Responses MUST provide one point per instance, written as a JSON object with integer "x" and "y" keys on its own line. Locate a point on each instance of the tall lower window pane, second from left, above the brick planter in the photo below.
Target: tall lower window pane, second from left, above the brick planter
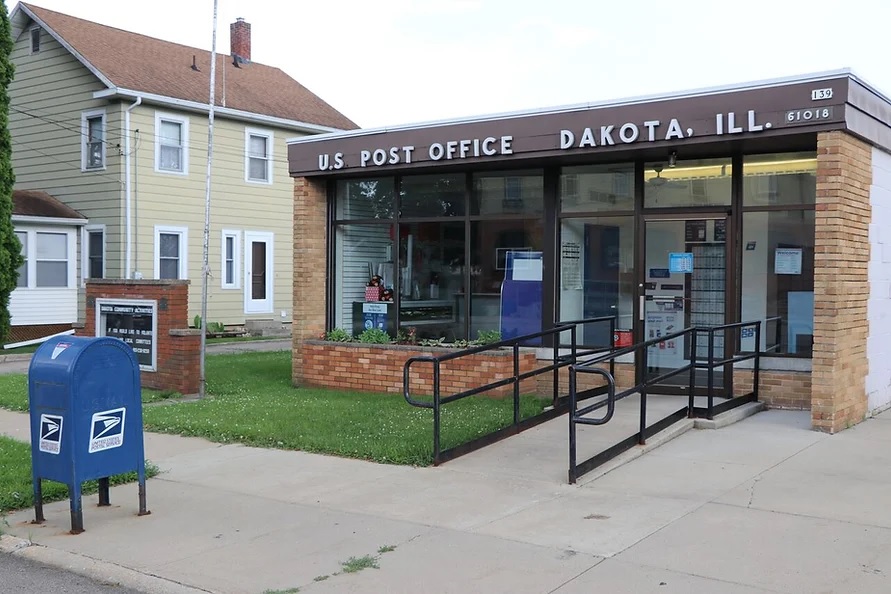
{"x": 431, "y": 279}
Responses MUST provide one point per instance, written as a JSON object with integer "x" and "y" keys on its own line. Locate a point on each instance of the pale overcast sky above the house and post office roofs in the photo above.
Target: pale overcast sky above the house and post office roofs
{"x": 388, "y": 62}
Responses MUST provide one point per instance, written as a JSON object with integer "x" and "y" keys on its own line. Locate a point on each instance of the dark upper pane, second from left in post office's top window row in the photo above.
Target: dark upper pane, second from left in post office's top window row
{"x": 433, "y": 196}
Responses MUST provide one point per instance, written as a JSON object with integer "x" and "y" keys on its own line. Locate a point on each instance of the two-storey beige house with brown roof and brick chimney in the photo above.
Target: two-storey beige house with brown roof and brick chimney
{"x": 115, "y": 125}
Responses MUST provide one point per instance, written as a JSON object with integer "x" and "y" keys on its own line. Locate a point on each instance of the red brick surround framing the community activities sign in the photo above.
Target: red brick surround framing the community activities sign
{"x": 177, "y": 346}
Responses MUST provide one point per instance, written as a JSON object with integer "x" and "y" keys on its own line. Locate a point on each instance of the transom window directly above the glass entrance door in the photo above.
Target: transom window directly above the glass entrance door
{"x": 701, "y": 182}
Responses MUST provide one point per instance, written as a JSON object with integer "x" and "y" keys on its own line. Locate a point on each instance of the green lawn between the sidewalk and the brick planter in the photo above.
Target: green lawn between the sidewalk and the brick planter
{"x": 251, "y": 401}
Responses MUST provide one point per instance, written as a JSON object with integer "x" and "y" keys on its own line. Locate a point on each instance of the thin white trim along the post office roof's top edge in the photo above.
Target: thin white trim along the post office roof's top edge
{"x": 716, "y": 90}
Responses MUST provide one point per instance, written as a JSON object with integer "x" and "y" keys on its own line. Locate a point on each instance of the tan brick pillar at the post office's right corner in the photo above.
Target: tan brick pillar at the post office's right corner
{"x": 841, "y": 284}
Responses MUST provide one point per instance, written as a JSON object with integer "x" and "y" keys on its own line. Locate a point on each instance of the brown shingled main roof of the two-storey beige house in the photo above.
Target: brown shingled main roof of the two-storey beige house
{"x": 147, "y": 65}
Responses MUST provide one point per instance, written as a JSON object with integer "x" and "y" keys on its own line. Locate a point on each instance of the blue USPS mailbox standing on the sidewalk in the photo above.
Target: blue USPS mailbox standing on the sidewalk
{"x": 86, "y": 418}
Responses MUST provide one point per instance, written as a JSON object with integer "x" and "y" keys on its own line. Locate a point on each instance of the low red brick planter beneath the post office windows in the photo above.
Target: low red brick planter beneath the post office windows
{"x": 378, "y": 368}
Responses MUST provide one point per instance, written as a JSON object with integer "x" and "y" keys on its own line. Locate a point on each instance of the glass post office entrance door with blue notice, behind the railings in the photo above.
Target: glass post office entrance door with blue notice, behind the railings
{"x": 685, "y": 283}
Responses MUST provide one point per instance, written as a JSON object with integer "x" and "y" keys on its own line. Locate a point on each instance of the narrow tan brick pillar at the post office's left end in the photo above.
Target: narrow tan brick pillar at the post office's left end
{"x": 310, "y": 267}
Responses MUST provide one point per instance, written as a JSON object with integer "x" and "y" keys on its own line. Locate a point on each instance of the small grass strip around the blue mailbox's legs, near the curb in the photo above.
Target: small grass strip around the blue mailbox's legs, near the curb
{"x": 16, "y": 490}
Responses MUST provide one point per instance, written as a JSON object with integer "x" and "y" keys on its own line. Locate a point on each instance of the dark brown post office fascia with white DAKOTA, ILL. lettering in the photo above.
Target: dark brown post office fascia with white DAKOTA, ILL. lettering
{"x": 753, "y": 111}
